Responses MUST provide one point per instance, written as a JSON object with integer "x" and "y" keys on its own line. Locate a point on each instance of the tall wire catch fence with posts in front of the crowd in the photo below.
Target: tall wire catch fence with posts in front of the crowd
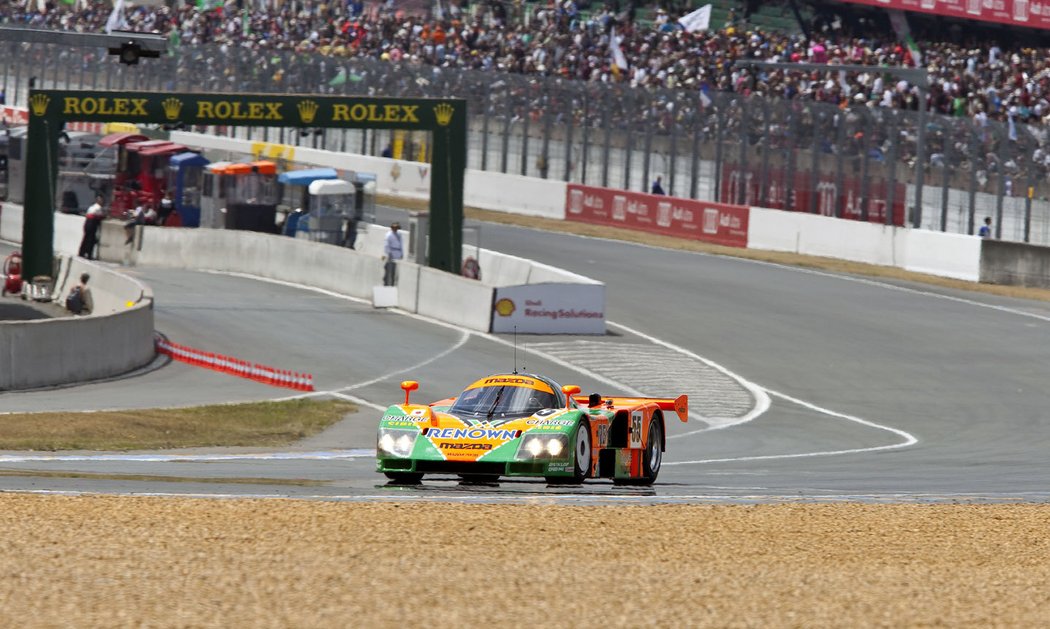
{"x": 855, "y": 162}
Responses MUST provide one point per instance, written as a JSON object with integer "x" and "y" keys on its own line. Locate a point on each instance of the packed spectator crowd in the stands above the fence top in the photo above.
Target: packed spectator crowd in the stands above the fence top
{"x": 976, "y": 79}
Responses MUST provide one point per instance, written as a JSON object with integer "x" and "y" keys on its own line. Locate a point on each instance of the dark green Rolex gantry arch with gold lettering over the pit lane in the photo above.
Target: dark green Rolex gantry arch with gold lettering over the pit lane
{"x": 50, "y": 110}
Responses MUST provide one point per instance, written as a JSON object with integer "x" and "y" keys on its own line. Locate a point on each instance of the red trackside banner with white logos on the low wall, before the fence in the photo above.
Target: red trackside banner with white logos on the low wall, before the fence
{"x": 718, "y": 223}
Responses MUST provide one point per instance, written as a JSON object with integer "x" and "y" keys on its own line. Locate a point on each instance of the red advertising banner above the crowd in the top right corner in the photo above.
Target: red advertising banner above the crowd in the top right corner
{"x": 1017, "y": 13}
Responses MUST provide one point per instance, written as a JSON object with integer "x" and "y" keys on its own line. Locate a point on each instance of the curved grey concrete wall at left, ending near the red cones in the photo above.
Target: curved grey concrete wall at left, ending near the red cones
{"x": 118, "y": 338}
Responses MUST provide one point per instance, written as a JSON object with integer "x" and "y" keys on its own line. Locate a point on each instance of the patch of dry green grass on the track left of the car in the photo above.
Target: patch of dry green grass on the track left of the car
{"x": 251, "y": 425}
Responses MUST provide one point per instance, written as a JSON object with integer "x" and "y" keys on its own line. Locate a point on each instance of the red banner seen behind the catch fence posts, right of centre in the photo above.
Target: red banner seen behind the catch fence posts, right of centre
{"x": 743, "y": 186}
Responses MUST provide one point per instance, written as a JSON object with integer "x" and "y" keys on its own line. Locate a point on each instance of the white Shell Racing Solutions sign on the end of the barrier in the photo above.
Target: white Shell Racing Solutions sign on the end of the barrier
{"x": 550, "y": 309}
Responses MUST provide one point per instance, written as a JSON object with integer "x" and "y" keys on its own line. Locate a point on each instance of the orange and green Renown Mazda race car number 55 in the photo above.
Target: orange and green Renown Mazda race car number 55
{"x": 527, "y": 426}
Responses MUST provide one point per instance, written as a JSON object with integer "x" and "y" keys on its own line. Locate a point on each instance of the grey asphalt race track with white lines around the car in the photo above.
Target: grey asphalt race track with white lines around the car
{"x": 805, "y": 386}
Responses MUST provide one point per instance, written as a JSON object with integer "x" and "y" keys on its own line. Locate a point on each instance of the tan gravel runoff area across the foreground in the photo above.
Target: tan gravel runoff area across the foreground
{"x": 163, "y": 562}
